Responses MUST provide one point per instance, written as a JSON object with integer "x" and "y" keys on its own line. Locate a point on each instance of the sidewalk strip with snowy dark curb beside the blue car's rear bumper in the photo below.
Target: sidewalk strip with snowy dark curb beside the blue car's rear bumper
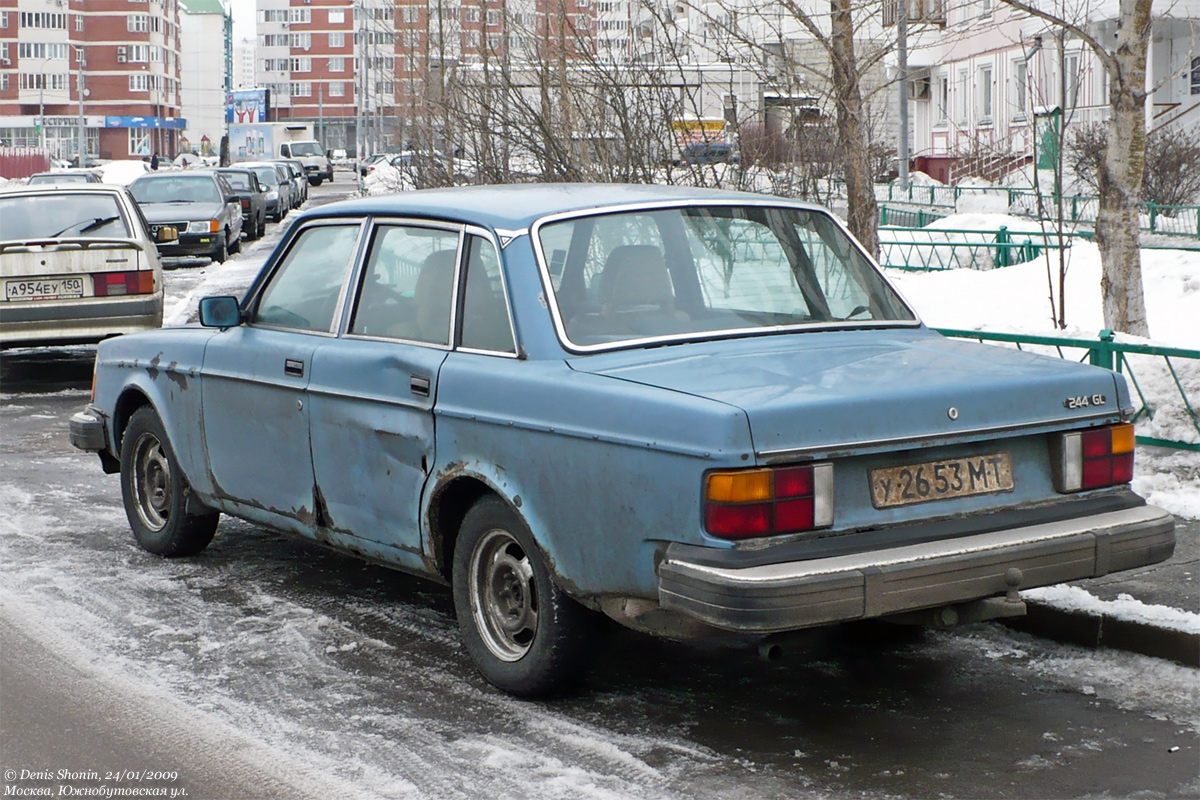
{"x": 1154, "y": 611}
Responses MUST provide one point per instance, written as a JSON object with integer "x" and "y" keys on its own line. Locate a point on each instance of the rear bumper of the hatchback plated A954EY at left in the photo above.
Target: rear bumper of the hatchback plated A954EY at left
{"x": 80, "y": 322}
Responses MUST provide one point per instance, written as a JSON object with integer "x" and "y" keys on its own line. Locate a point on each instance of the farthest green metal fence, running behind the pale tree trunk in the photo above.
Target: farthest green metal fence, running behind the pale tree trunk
{"x": 1078, "y": 209}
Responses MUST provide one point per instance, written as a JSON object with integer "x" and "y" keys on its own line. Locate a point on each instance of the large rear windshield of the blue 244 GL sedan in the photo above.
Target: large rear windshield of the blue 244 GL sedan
{"x": 698, "y": 272}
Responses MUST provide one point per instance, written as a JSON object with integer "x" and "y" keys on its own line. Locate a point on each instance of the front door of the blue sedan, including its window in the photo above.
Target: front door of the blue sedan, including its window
{"x": 256, "y": 411}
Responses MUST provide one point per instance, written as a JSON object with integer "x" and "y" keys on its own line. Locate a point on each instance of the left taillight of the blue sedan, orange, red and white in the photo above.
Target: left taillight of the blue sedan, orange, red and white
{"x": 748, "y": 503}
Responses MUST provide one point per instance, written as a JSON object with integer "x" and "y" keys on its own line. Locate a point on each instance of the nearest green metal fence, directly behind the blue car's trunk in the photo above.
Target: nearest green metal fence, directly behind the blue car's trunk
{"x": 1148, "y": 369}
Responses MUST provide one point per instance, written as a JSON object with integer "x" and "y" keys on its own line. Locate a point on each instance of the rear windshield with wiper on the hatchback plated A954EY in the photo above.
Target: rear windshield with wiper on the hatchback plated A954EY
{"x": 51, "y": 216}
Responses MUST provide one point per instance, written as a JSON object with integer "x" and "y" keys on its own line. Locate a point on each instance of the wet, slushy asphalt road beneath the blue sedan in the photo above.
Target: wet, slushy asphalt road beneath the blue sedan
{"x": 267, "y": 667}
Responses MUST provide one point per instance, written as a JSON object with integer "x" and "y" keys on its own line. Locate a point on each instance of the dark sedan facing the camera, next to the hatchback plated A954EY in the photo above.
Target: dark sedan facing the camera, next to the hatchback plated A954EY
{"x": 200, "y": 204}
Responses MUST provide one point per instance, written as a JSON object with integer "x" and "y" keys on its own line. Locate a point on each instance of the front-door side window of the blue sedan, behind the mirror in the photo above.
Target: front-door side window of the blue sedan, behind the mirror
{"x": 303, "y": 293}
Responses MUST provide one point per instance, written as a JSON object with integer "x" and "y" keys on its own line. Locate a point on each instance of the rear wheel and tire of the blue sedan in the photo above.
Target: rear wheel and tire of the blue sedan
{"x": 525, "y": 634}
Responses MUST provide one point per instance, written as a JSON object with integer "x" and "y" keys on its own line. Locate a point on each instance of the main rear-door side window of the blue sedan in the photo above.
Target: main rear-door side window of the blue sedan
{"x": 407, "y": 290}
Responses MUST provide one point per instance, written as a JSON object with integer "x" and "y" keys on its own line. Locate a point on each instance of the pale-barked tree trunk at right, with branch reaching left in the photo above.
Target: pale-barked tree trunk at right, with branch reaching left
{"x": 1120, "y": 176}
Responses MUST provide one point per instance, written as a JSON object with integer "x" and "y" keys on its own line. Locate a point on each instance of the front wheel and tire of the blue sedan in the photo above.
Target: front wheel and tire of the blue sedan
{"x": 155, "y": 492}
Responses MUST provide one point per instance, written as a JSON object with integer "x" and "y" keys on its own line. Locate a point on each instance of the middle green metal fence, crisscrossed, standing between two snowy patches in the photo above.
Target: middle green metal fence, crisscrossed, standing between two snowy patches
{"x": 926, "y": 250}
